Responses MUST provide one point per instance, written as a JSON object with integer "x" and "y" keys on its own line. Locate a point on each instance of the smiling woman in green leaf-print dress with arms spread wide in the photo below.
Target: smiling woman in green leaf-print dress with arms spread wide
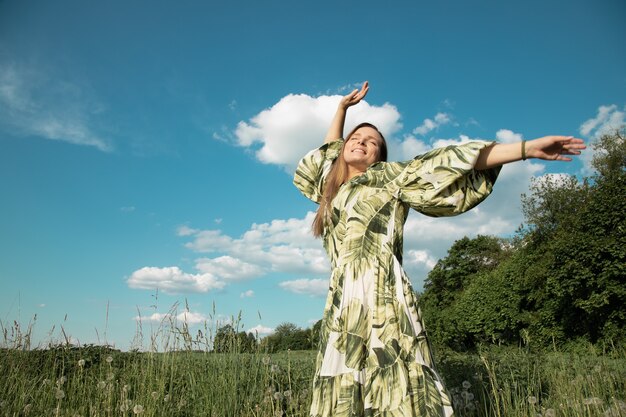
{"x": 374, "y": 358}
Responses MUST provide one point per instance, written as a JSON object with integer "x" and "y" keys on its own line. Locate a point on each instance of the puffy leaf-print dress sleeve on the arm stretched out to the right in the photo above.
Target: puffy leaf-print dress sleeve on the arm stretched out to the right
{"x": 443, "y": 182}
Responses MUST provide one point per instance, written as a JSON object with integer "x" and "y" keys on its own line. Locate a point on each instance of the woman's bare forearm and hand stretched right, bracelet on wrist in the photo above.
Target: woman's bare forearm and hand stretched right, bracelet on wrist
{"x": 551, "y": 148}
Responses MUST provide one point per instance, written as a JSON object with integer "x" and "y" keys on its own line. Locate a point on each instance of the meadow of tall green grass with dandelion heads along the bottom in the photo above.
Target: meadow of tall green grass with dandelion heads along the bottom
{"x": 188, "y": 380}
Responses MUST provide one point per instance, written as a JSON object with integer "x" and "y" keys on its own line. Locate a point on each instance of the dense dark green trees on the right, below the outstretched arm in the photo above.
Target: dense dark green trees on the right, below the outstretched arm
{"x": 560, "y": 280}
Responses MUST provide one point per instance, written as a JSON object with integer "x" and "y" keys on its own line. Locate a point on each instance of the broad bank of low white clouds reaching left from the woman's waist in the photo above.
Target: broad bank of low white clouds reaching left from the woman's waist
{"x": 280, "y": 246}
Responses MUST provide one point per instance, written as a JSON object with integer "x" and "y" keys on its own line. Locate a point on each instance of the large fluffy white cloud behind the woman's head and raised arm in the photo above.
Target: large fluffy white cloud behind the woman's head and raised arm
{"x": 298, "y": 122}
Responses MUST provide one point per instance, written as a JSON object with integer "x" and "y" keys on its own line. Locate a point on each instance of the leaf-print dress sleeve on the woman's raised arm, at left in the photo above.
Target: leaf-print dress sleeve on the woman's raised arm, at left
{"x": 312, "y": 170}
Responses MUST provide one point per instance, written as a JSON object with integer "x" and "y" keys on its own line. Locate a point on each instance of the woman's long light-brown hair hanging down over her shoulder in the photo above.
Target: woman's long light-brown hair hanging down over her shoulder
{"x": 337, "y": 175}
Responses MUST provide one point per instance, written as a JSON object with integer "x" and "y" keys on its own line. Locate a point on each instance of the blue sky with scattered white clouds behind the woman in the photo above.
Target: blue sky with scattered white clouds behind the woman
{"x": 150, "y": 144}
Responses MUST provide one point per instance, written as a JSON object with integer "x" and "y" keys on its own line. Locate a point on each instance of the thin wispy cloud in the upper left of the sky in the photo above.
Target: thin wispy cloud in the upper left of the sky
{"x": 34, "y": 104}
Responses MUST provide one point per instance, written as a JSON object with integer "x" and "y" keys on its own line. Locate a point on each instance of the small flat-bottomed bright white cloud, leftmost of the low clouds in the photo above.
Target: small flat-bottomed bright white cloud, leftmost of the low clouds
{"x": 173, "y": 280}
